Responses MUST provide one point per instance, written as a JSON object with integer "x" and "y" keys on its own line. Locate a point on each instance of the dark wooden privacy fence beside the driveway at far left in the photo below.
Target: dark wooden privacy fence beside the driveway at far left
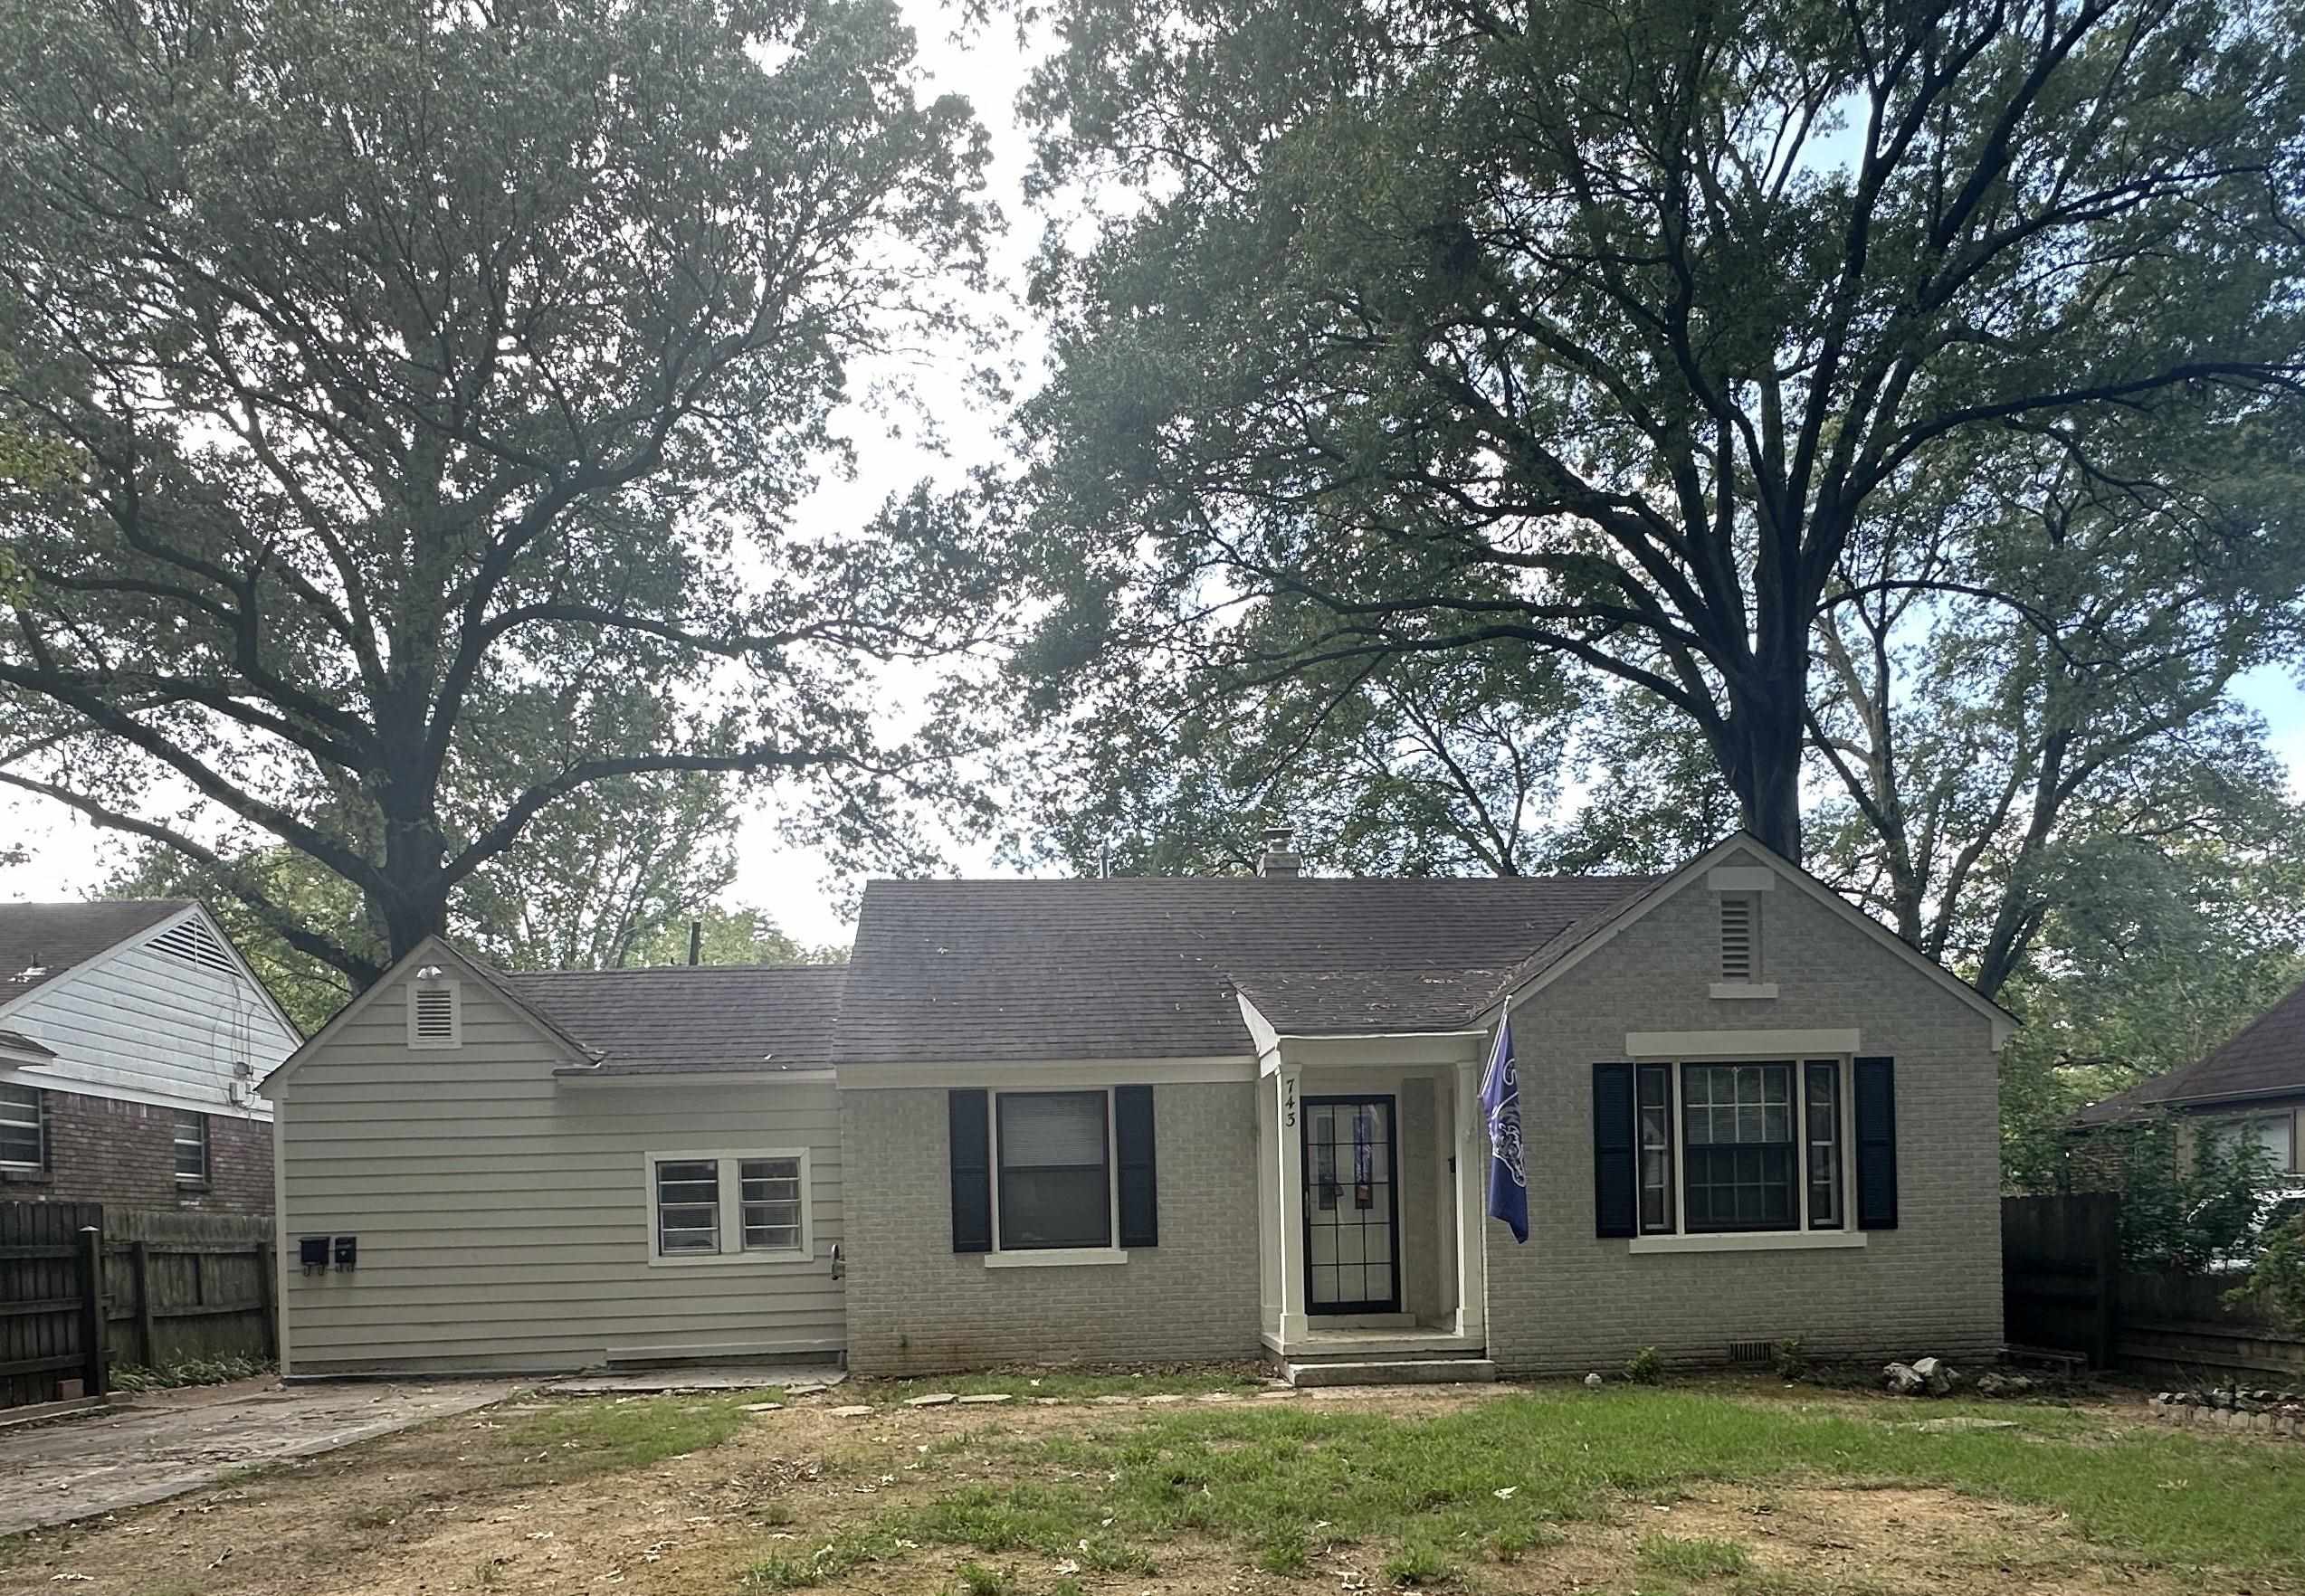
{"x": 89, "y": 1289}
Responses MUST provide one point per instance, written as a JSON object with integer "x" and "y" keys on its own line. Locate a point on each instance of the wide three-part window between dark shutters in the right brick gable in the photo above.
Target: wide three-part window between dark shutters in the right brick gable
{"x": 1744, "y": 1146}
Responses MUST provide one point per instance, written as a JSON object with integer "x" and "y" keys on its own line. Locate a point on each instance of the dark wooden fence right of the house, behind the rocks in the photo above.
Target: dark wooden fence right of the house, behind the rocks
{"x": 2064, "y": 1291}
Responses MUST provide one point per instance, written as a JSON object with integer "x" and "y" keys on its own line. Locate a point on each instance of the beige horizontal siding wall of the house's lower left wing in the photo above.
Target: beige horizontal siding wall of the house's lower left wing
{"x": 504, "y": 1215}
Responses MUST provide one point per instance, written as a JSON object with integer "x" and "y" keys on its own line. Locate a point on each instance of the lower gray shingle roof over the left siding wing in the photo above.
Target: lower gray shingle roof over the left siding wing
{"x": 693, "y": 1017}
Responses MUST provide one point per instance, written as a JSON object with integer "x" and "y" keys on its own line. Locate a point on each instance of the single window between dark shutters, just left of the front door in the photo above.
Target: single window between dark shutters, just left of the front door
{"x": 1055, "y": 1171}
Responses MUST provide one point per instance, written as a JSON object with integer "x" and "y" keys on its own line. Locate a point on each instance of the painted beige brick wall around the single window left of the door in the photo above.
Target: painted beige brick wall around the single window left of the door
{"x": 919, "y": 1307}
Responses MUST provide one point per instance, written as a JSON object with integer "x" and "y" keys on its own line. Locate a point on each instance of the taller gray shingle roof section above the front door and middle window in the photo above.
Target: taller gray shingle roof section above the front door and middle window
{"x": 1149, "y": 966}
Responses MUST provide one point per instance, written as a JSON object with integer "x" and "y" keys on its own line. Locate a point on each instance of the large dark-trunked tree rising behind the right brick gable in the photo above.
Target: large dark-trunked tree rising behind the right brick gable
{"x": 1603, "y": 330}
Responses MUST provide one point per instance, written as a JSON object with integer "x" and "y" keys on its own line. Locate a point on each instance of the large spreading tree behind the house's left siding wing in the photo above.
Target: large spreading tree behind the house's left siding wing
{"x": 437, "y": 386}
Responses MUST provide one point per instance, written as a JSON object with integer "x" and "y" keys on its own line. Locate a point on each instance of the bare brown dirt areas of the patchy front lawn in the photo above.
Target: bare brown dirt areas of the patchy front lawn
{"x": 469, "y": 1507}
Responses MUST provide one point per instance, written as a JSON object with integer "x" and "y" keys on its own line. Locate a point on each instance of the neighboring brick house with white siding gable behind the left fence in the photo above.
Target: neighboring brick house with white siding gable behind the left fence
{"x": 133, "y": 1038}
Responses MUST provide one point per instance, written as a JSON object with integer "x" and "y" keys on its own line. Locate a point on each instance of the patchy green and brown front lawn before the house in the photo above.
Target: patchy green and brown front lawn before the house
{"x": 1679, "y": 1491}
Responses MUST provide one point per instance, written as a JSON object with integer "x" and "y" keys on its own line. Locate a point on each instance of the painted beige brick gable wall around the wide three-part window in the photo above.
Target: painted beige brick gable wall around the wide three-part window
{"x": 1571, "y": 1302}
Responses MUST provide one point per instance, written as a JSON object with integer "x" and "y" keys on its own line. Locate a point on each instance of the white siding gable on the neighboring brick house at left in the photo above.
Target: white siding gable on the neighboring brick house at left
{"x": 151, "y": 1028}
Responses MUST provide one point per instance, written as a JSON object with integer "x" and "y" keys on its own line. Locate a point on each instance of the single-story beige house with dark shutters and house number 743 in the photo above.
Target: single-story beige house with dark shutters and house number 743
{"x": 1158, "y": 1120}
